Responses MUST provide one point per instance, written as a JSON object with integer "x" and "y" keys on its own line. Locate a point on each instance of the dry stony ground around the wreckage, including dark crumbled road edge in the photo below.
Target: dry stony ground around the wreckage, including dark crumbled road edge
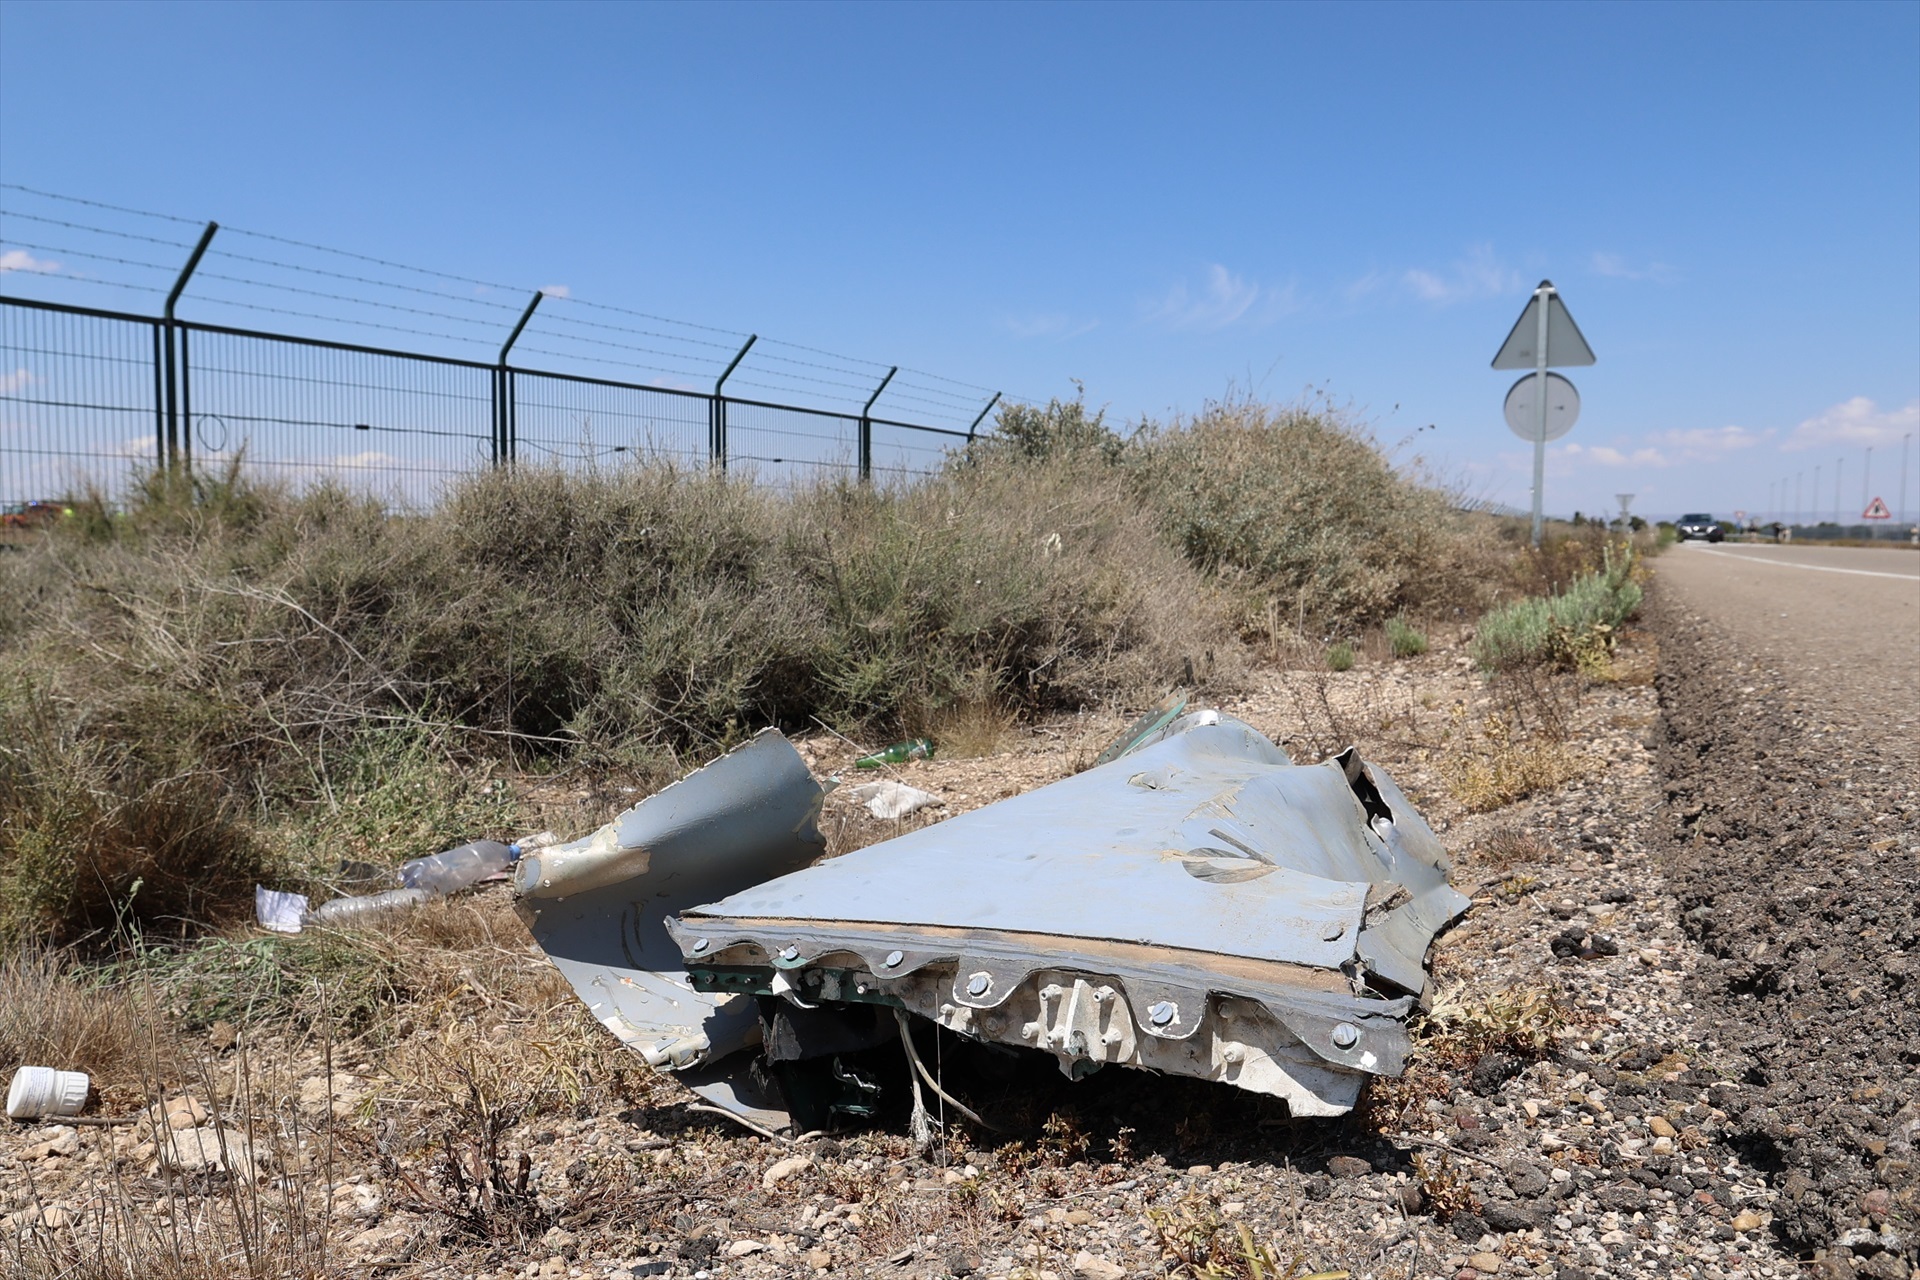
{"x": 1675, "y": 1035}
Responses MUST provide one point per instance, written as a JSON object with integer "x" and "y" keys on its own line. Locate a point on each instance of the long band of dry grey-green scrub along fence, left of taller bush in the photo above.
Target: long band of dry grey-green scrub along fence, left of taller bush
{"x": 228, "y": 675}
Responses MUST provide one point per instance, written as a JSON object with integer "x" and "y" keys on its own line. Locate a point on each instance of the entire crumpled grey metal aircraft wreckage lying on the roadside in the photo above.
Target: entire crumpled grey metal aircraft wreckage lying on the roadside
{"x": 1197, "y": 907}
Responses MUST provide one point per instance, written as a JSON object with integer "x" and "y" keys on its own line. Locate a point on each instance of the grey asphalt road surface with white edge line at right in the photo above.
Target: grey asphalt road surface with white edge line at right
{"x": 1840, "y": 625}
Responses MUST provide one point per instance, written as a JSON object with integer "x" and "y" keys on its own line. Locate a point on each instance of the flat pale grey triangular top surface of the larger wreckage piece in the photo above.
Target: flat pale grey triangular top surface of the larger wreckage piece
{"x": 1145, "y": 849}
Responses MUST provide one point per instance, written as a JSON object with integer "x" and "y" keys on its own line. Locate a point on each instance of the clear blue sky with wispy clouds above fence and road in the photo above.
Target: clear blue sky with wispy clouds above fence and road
{"x": 1166, "y": 204}
